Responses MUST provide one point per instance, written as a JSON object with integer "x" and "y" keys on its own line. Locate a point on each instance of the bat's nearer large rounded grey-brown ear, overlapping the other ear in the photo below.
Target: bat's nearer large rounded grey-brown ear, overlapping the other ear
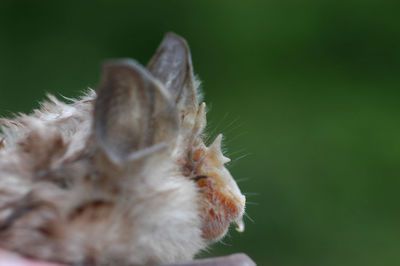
{"x": 133, "y": 115}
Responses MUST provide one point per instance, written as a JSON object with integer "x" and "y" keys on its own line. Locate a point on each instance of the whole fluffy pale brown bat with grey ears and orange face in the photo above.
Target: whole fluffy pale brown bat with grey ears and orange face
{"x": 120, "y": 177}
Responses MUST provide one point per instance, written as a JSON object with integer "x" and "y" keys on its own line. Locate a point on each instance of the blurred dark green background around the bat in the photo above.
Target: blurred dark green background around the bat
{"x": 307, "y": 96}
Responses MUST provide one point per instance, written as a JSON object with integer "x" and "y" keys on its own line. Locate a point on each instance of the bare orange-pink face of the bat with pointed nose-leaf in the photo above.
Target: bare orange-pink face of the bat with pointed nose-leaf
{"x": 221, "y": 200}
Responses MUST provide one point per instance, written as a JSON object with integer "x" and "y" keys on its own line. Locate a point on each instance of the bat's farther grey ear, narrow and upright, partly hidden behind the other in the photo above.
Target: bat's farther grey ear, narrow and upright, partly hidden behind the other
{"x": 172, "y": 66}
